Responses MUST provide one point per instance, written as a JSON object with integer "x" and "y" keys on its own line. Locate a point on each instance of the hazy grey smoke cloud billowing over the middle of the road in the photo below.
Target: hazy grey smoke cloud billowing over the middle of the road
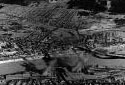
{"x": 75, "y": 60}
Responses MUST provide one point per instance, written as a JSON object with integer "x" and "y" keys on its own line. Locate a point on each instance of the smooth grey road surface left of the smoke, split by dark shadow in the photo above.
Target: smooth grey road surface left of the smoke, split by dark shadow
{"x": 13, "y": 67}
